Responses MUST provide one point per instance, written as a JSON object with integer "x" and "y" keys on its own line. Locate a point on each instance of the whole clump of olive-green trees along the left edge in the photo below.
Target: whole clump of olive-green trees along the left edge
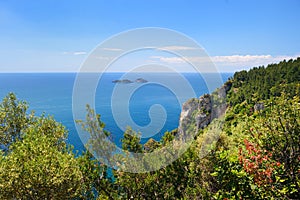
{"x": 36, "y": 162}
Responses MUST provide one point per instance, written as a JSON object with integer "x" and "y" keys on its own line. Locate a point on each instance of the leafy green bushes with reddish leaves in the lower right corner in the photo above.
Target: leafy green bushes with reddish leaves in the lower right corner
{"x": 260, "y": 158}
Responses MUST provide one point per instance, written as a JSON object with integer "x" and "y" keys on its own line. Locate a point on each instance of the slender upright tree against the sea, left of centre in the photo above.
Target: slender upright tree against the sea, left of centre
{"x": 98, "y": 177}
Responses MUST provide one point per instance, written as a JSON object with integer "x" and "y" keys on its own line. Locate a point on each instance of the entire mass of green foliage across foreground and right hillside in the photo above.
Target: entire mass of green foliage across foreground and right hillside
{"x": 256, "y": 157}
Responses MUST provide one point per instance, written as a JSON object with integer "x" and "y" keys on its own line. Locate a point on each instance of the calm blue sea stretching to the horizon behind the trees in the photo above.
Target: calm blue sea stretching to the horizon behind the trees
{"x": 51, "y": 93}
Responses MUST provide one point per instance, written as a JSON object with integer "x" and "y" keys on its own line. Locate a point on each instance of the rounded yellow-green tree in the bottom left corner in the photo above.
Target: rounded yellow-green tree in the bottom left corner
{"x": 39, "y": 166}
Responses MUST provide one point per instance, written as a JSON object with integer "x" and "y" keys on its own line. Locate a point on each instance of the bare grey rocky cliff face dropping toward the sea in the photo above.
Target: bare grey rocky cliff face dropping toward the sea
{"x": 197, "y": 113}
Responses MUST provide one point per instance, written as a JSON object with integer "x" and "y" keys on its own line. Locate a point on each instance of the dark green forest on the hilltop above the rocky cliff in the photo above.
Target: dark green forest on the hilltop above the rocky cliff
{"x": 261, "y": 83}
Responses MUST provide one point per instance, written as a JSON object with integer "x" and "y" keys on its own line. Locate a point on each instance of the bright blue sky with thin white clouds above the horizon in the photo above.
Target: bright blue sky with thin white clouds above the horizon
{"x": 59, "y": 35}
